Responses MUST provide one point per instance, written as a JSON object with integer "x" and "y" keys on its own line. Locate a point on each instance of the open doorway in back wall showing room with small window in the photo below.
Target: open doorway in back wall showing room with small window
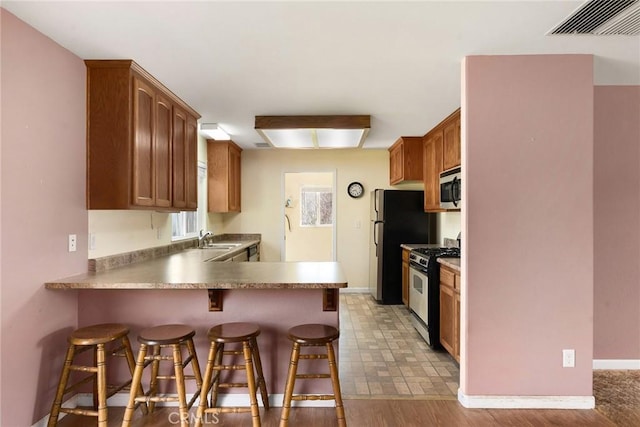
{"x": 309, "y": 219}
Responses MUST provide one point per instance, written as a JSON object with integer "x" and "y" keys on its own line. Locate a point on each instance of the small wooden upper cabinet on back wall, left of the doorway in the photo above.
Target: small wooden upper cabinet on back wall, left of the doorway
{"x": 224, "y": 176}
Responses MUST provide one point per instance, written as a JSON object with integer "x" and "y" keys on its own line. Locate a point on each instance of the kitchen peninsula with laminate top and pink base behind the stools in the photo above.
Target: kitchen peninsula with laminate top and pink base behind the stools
{"x": 186, "y": 287}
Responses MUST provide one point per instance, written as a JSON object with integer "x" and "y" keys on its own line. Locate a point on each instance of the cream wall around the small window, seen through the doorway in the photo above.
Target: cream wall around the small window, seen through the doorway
{"x": 305, "y": 243}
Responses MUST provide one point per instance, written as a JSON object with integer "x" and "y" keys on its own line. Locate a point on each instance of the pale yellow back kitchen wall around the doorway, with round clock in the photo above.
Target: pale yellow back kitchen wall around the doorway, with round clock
{"x": 263, "y": 211}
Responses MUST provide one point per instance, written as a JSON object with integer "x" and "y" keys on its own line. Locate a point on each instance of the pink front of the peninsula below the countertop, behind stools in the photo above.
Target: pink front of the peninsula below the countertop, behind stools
{"x": 274, "y": 310}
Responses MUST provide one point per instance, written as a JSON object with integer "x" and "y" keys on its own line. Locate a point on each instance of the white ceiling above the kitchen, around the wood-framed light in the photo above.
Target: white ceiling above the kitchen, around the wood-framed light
{"x": 398, "y": 61}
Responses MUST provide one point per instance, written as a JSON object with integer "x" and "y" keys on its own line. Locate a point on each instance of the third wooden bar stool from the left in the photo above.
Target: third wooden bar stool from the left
{"x": 233, "y": 333}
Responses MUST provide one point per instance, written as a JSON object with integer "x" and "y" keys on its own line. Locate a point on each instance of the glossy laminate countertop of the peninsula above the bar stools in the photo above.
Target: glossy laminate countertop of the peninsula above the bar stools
{"x": 193, "y": 269}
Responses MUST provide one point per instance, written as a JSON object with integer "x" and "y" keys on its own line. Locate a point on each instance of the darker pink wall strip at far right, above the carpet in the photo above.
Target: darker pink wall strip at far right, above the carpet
{"x": 617, "y": 222}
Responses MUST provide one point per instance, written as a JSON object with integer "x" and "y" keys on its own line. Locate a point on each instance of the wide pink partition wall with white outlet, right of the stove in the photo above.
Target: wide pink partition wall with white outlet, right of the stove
{"x": 527, "y": 263}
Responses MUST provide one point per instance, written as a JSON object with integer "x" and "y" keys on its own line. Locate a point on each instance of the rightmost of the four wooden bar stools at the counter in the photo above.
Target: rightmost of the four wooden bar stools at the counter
{"x": 312, "y": 335}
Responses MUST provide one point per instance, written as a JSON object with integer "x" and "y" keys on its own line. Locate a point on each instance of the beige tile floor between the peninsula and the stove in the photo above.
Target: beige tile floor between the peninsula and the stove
{"x": 383, "y": 357}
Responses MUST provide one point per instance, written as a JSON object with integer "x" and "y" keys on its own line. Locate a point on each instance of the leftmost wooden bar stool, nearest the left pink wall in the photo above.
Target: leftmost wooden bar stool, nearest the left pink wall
{"x": 94, "y": 337}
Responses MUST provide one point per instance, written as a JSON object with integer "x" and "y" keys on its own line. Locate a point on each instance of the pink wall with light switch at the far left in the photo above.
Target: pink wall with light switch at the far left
{"x": 43, "y": 200}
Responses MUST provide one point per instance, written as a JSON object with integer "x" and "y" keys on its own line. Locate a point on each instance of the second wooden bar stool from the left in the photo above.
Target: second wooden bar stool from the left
{"x": 155, "y": 339}
